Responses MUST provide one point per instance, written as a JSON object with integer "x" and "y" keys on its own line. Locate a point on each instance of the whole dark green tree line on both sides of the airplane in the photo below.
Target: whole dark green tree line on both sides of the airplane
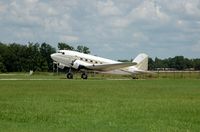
{"x": 35, "y": 56}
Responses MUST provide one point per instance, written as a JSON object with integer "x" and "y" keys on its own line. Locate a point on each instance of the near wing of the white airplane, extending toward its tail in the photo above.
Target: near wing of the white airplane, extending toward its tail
{"x": 108, "y": 67}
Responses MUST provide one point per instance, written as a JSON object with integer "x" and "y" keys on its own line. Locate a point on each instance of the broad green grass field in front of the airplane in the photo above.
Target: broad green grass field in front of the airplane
{"x": 100, "y": 105}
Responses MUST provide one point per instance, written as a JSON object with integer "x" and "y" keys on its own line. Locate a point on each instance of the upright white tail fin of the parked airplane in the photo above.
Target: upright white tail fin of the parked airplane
{"x": 142, "y": 62}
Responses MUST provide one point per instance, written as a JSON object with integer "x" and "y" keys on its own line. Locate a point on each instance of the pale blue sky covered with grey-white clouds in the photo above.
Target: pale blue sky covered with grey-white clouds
{"x": 115, "y": 29}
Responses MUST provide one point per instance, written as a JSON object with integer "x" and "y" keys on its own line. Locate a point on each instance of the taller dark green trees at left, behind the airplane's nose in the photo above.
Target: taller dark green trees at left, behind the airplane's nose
{"x": 32, "y": 56}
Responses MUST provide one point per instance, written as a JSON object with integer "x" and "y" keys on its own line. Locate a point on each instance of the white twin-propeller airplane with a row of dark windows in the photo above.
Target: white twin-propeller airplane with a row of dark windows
{"x": 86, "y": 62}
